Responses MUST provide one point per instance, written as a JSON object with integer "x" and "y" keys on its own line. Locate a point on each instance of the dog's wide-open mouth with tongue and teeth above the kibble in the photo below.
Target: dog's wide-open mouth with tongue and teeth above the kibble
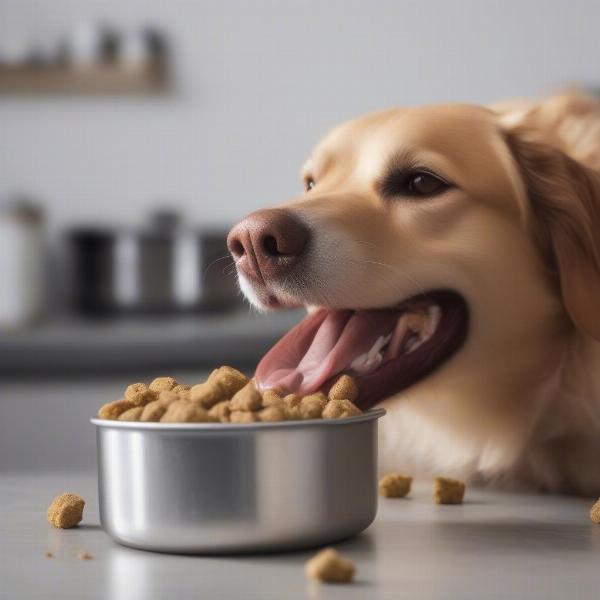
{"x": 385, "y": 350}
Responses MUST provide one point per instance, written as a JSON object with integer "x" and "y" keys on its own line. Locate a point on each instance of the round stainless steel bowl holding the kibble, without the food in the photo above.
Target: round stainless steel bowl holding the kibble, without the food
{"x": 205, "y": 488}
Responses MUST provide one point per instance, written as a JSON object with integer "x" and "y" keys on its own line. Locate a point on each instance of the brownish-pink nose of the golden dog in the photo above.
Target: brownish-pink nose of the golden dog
{"x": 267, "y": 242}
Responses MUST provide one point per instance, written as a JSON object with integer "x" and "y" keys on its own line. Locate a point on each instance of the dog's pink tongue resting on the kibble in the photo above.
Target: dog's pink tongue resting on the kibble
{"x": 320, "y": 346}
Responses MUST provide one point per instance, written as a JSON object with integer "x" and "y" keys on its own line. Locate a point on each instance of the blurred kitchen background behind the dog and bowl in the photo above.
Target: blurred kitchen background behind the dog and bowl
{"x": 134, "y": 134}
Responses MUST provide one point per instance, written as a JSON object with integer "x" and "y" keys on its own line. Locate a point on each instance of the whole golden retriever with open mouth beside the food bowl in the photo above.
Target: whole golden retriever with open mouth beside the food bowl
{"x": 449, "y": 257}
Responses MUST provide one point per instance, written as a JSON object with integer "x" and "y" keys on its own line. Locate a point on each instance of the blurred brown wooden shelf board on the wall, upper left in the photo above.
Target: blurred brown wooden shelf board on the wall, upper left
{"x": 109, "y": 79}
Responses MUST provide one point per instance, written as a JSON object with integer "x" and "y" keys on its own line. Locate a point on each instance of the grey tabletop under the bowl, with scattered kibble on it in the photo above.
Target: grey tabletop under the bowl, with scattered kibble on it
{"x": 497, "y": 545}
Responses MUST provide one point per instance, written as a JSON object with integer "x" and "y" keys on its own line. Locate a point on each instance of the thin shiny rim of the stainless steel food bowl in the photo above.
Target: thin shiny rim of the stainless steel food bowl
{"x": 369, "y": 415}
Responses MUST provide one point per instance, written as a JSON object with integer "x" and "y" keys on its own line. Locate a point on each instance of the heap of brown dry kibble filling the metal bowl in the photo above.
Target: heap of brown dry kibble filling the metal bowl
{"x": 228, "y": 396}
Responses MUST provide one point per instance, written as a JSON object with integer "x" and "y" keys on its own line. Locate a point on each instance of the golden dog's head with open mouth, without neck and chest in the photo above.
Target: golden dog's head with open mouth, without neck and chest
{"x": 420, "y": 232}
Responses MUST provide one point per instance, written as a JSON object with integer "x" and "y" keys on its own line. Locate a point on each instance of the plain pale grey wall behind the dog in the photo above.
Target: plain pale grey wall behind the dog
{"x": 258, "y": 81}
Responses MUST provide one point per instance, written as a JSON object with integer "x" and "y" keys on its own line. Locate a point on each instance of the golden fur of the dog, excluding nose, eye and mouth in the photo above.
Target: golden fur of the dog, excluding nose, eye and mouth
{"x": 518, "y": 237}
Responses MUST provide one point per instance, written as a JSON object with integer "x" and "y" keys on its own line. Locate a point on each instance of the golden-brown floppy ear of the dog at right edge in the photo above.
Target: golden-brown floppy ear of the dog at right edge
{"x": 563, "y": 203}
